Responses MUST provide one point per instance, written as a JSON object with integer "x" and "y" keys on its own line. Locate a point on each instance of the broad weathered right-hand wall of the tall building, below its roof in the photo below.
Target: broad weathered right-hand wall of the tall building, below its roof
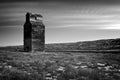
{"x": 38, "y": 36}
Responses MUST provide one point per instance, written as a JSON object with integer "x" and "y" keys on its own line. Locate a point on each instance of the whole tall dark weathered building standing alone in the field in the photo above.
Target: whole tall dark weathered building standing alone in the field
{"x": 34, "y": 33}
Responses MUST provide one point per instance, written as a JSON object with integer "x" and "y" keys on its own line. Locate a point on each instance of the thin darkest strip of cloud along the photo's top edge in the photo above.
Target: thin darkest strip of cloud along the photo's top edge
{"x": 68, "y": 1}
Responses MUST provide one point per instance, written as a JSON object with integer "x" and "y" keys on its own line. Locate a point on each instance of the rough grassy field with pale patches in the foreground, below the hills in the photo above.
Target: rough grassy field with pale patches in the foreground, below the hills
{"x": 59, "y": 66}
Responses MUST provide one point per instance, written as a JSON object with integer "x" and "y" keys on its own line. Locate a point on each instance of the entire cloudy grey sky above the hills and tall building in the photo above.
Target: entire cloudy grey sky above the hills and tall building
{"x": 65, "y": 20}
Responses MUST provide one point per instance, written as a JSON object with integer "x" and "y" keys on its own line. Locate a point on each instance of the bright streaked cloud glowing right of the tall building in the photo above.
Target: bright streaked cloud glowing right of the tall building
{"x": 106, "y": 18}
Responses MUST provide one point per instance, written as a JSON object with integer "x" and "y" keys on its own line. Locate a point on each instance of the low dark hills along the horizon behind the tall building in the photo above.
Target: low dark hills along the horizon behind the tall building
{"x": 105, "y": 44}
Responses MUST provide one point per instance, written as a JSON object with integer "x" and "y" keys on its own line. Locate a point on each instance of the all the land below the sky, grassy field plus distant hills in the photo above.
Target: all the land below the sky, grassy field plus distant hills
{"x": 65, "y": 61}
